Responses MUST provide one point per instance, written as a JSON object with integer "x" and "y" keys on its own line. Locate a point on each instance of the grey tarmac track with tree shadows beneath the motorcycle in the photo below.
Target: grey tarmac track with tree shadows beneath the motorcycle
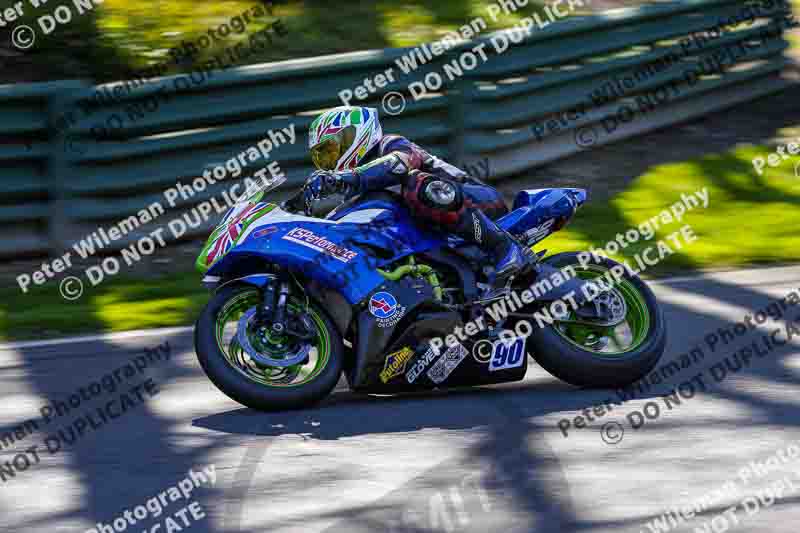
{"x": 718, "y": 456}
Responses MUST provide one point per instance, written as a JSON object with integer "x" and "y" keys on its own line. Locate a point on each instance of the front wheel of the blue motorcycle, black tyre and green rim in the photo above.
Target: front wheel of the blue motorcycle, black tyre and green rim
{"x": 261, "y": 387}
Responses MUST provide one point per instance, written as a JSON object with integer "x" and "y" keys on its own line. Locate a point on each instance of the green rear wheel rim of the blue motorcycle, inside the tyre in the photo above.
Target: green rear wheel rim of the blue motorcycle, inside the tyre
{"x": 627, "y": 336}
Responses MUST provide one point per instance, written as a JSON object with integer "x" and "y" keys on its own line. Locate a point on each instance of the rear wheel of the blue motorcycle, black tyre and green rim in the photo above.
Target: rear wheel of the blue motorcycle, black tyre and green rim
{"x": 588, "y": 355}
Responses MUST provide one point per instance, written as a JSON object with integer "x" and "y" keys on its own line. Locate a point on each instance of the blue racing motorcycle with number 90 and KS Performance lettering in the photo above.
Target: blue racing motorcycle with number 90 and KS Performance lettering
{"x": 299, "y": 300}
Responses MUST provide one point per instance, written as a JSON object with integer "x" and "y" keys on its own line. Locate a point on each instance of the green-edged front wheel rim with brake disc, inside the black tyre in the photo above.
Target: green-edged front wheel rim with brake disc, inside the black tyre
{"x": 292, "y": 376}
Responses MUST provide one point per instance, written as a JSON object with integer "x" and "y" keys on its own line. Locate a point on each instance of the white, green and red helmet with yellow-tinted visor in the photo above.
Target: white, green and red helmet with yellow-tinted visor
{"x": 340, "y": 138}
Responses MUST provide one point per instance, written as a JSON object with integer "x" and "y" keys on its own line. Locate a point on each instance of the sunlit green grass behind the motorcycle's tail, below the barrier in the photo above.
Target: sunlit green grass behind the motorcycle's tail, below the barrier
{"x": 751, "y": 219}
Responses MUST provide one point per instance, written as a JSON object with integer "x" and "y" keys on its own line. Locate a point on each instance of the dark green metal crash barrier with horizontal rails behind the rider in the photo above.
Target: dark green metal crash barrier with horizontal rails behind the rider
{"x": 76, "y": 157}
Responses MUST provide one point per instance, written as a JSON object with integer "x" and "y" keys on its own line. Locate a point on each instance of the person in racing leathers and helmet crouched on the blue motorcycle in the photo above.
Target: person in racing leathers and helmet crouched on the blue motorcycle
{"x": 354, "y": 156}
